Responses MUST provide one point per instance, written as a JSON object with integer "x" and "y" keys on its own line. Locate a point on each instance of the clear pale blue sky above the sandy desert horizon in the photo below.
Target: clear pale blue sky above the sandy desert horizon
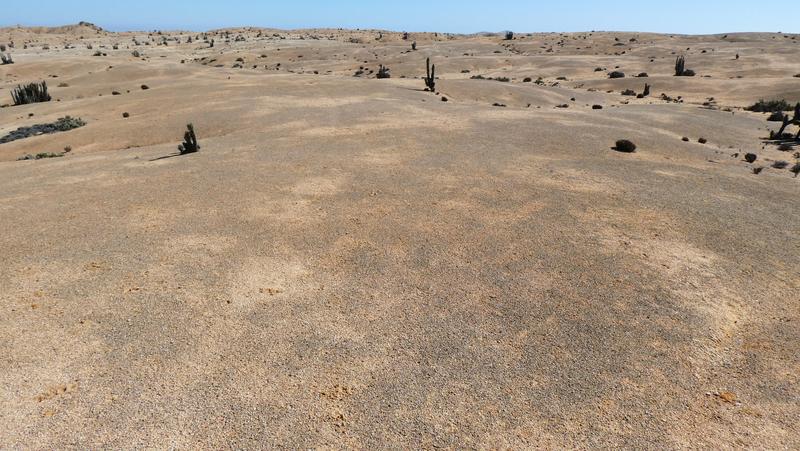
{"x": 450, "y": 16}
